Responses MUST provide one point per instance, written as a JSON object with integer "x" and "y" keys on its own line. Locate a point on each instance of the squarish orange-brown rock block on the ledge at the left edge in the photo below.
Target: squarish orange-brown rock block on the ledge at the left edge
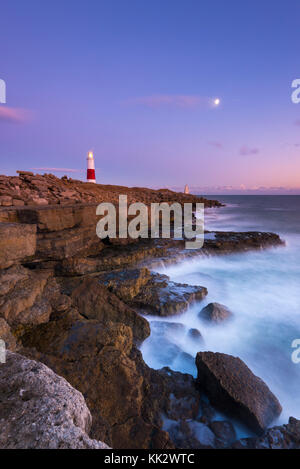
{"x": 17, "y": 243}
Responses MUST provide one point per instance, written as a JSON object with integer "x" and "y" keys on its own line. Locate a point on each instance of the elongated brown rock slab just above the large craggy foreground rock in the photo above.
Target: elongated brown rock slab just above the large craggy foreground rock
{"x": 94, "y": 301}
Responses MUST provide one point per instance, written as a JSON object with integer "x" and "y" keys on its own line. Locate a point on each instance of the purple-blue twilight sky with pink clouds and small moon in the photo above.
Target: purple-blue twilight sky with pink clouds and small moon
{"x": 134, "y": 80}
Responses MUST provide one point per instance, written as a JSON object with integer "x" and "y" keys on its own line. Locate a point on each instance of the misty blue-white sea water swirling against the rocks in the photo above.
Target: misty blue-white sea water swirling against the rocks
{"x": 261, "y": 288}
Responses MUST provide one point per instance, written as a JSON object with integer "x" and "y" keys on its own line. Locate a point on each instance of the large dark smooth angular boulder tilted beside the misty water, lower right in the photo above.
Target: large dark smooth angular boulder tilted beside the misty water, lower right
{"x": 232, "y": 387}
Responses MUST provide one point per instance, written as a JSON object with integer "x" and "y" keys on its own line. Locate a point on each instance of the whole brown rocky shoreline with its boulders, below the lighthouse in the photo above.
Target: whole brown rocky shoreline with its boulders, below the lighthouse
{"x": 73, "y": 313}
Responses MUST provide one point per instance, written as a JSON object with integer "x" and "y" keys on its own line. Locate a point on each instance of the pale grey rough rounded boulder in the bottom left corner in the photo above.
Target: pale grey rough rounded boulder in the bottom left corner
{"x": 41, "y": 410}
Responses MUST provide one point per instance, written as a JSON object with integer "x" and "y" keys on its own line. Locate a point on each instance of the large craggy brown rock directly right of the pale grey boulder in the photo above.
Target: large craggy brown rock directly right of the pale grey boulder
{"x": 95, "y": 358}
